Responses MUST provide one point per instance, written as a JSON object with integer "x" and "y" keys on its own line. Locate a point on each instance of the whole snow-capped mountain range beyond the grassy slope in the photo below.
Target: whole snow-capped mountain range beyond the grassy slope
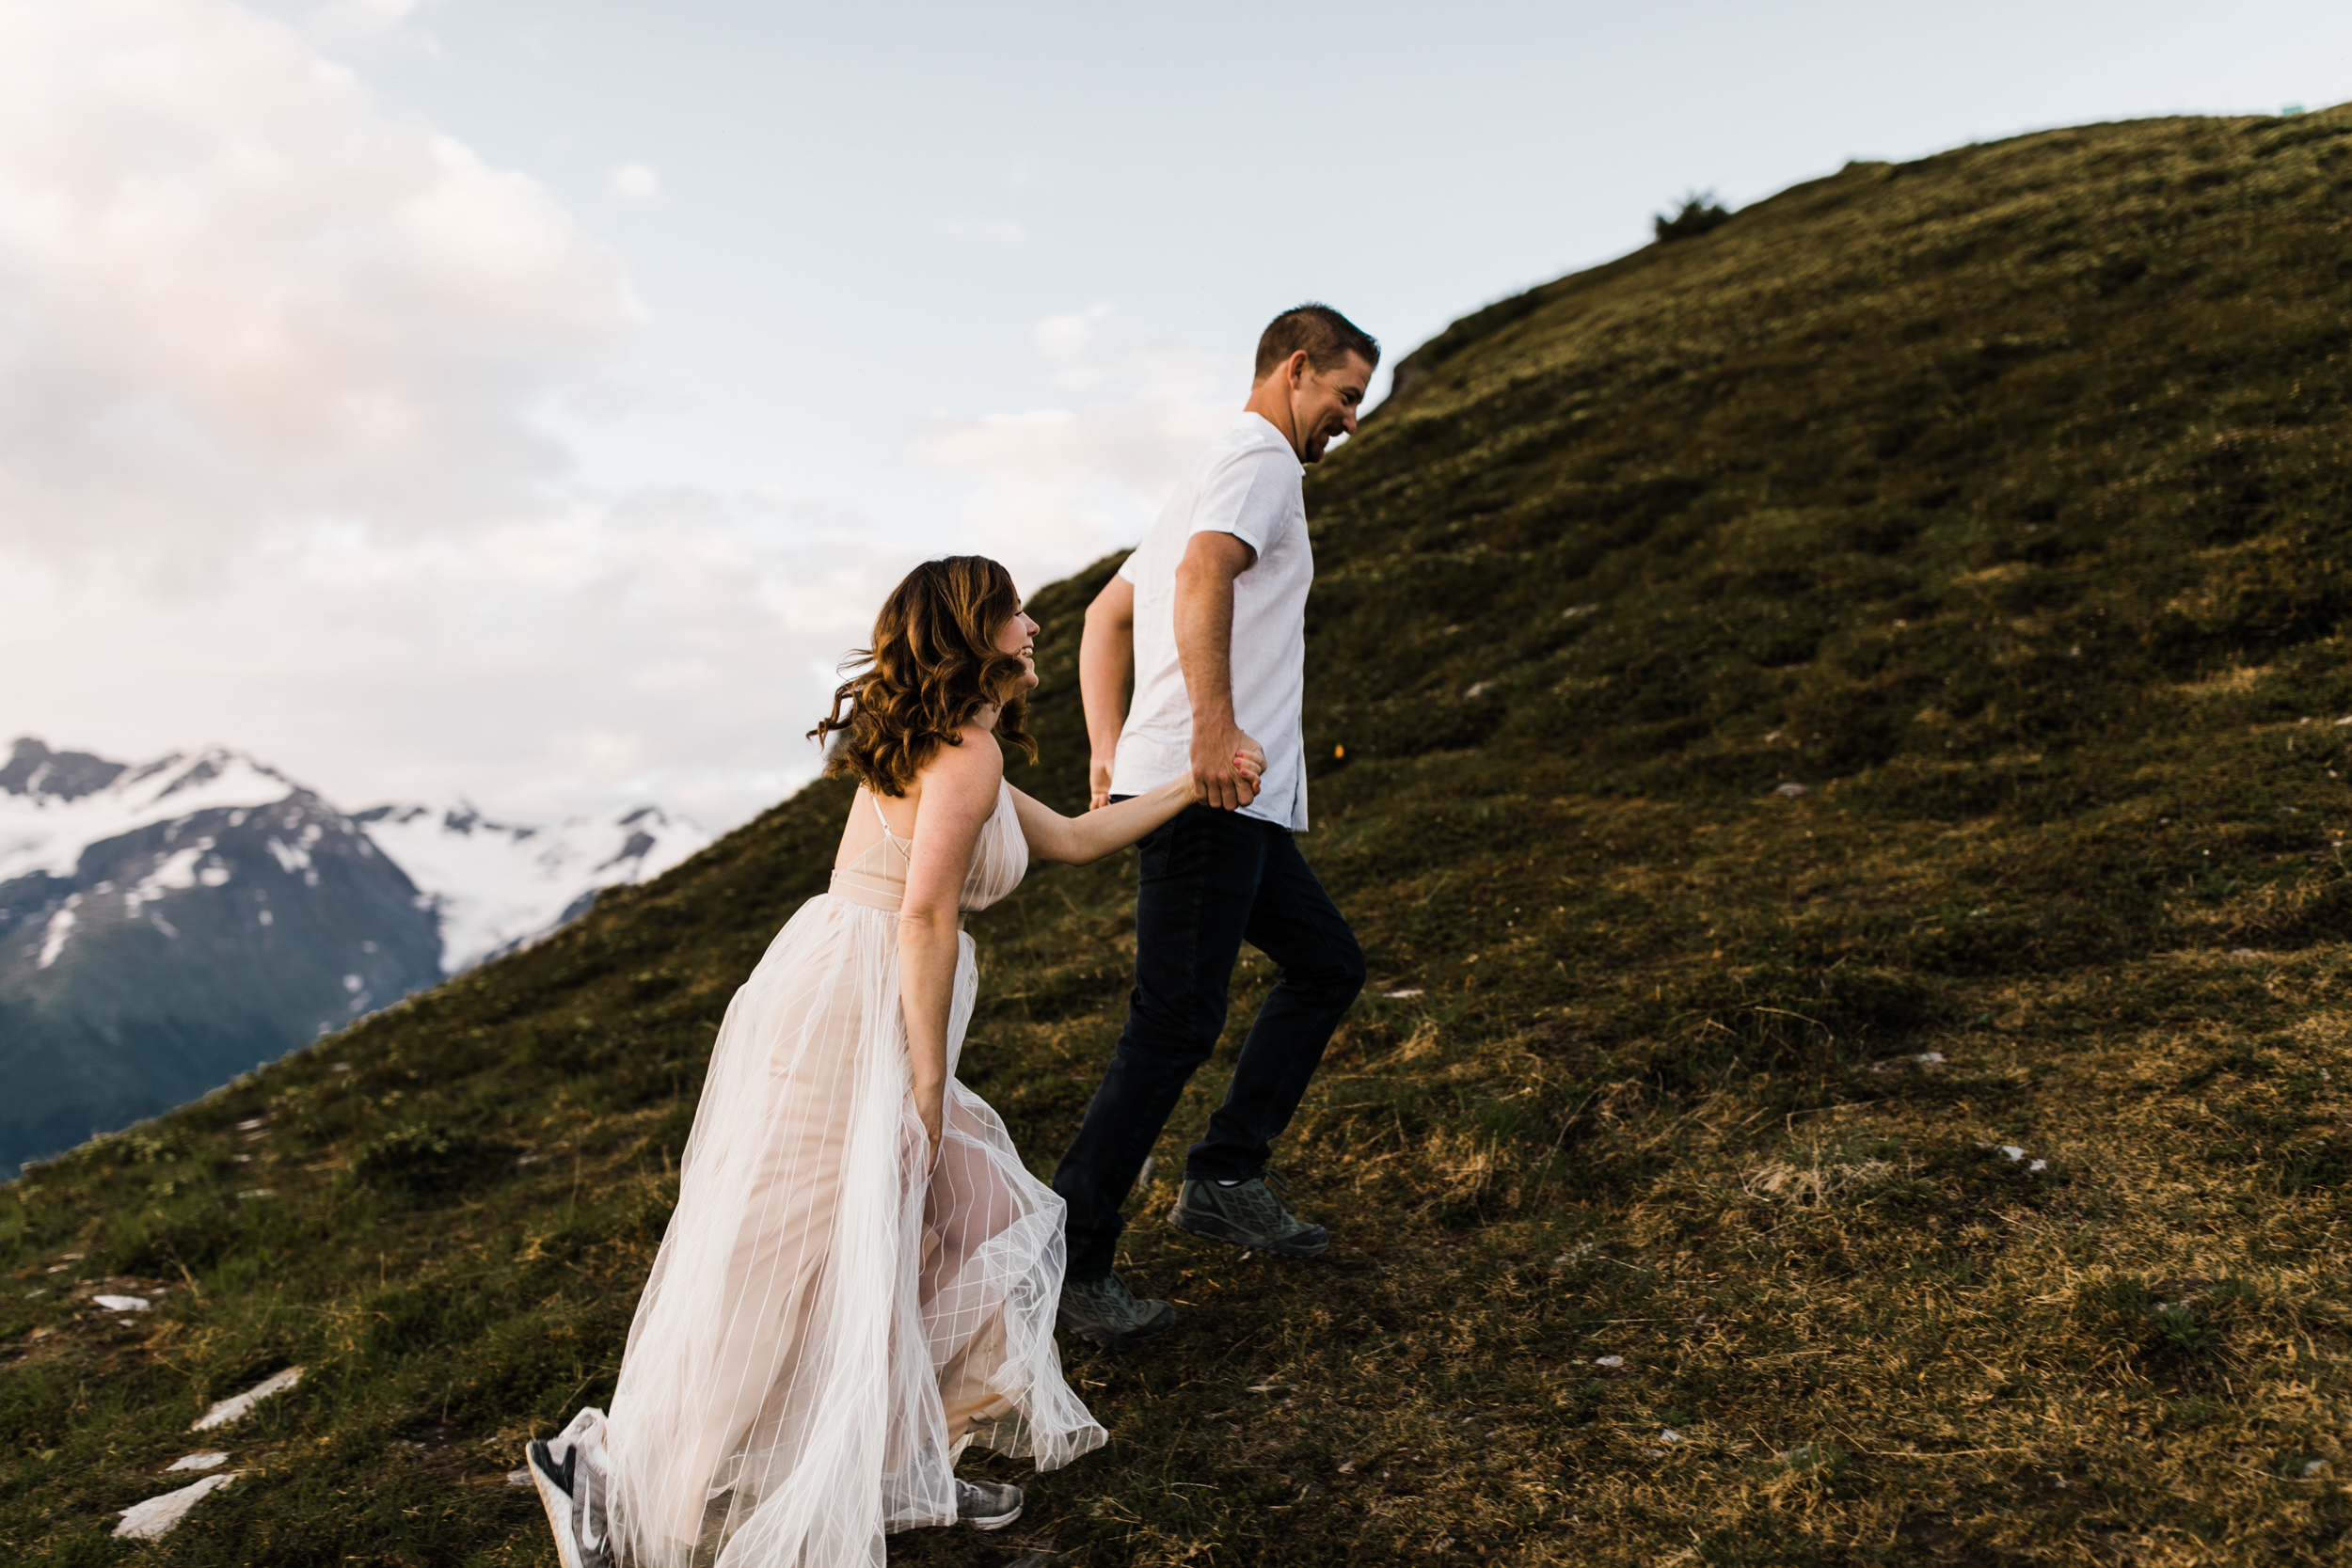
{"x": 173, "y": 923}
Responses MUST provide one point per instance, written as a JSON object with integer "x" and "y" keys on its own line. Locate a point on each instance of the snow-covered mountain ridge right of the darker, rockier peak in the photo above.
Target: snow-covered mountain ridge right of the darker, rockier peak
{"x": 505, "y": 885}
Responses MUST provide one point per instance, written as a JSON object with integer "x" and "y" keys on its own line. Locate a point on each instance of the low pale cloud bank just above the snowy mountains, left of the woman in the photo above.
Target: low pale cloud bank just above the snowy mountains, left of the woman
{"x": 648, "y": 648}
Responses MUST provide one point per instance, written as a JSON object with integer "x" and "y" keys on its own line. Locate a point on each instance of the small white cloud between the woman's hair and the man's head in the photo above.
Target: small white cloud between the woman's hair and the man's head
{"x": 1067, "y": 485}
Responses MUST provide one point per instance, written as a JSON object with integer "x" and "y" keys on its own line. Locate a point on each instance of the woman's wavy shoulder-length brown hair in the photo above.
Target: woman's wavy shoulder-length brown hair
{"x": 933, "y": 664}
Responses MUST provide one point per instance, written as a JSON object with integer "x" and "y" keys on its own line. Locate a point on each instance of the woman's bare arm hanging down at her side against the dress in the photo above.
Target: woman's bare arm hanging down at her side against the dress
{"x": 958, "y": 796}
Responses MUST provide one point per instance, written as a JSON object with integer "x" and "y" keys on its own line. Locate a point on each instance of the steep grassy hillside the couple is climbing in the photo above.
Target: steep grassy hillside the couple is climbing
{"x": 1843, "y": 789}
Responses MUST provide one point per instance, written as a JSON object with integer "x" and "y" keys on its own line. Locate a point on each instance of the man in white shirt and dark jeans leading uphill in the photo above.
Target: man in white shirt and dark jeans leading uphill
{"x": 1212, "y": 615}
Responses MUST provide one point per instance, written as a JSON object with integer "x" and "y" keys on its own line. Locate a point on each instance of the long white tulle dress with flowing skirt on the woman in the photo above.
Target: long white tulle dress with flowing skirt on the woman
{"x": 829, "y": 1325}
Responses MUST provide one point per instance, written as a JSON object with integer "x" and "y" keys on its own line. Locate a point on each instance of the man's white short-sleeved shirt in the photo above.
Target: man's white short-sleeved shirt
{"x": 1250, "y": 485}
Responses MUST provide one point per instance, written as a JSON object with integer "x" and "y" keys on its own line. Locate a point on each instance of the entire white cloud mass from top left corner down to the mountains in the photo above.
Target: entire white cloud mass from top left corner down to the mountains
{"x": 279, "y": 467}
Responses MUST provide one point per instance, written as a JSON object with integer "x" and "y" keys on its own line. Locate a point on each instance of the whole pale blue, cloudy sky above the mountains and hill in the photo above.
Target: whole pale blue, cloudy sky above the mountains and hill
{"x": 530, "y": 401}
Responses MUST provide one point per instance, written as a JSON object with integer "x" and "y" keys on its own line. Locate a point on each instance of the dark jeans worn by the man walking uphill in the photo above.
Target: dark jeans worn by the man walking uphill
{"x": 1210, "y": 880}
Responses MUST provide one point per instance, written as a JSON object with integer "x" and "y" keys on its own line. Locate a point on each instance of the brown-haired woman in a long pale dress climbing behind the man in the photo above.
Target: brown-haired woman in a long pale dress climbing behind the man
{"x": 860, "y": 1278}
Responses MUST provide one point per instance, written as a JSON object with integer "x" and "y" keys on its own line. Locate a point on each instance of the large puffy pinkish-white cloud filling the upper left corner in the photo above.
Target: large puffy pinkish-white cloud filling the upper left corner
{"x": 241, "y": 297}
